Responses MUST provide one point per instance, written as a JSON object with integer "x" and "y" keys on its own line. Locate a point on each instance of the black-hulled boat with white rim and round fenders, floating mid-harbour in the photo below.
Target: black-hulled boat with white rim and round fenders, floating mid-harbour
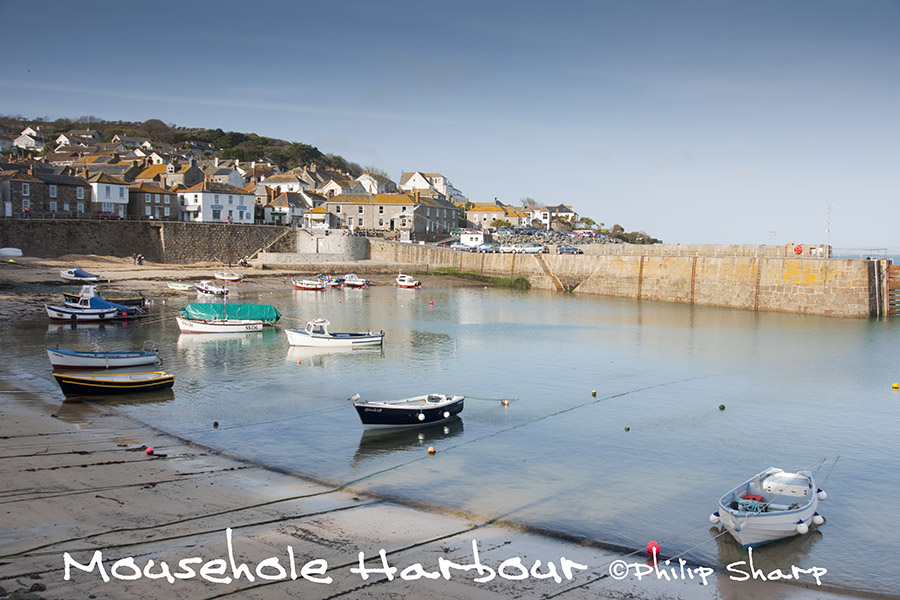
{"x": 409, "y": 412}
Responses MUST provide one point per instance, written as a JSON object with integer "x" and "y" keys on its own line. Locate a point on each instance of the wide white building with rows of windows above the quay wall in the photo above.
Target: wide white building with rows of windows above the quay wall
{"x": 210, "y": 202}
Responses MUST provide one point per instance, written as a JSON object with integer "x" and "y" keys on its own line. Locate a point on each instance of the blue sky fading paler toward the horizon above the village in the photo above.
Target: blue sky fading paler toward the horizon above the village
{"x": 695, "y": 121}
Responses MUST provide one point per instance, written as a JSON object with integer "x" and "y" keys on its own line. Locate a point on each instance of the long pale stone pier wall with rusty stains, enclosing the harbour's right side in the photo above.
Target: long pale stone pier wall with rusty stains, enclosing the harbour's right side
{"x": 815, "y": 286}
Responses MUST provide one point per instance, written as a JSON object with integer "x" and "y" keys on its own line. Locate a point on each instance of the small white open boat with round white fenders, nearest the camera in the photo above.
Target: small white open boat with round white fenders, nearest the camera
{"x": 770, "y": 506}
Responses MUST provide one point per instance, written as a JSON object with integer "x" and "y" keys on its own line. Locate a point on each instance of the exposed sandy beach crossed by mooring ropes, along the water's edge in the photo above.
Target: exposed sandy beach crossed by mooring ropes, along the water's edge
{"x": 87, "y": 512}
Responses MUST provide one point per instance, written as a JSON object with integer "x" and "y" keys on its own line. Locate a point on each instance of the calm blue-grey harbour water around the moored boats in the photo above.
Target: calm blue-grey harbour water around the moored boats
{"x": 798, "y": 391}
